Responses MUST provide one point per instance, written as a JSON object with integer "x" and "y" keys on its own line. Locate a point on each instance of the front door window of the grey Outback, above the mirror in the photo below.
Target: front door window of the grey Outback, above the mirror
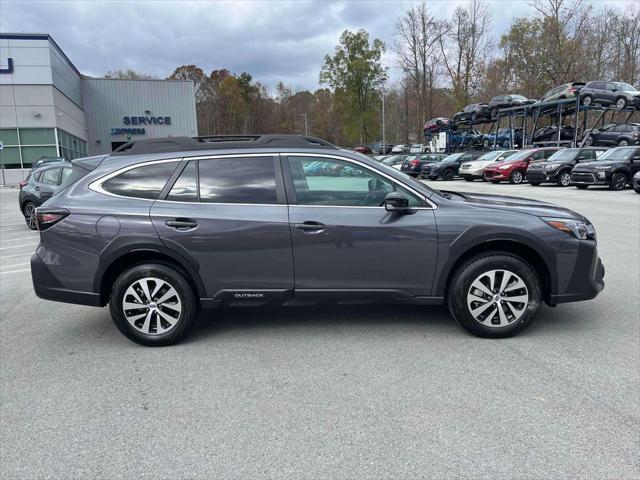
{"x": 331, "y": 182}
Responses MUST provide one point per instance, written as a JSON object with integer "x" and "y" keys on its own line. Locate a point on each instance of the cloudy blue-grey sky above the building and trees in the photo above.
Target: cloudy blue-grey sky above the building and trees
{"x": 272, "y": 40}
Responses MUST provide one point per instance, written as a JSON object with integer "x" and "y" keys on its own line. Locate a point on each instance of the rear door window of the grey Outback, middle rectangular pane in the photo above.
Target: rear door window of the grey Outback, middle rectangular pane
{"x": 238, "y": 180}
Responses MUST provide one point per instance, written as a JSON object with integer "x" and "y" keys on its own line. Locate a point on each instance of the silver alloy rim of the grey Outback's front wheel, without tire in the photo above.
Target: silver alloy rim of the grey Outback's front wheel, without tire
{"x": 497, "y": 298}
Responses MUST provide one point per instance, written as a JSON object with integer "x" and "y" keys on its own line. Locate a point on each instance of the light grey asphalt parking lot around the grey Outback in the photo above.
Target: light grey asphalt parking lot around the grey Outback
{"x": 358, "y": 392}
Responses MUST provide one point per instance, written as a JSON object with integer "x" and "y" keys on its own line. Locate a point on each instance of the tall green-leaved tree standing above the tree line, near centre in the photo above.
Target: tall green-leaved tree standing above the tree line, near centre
{"x": 356, "y": 74}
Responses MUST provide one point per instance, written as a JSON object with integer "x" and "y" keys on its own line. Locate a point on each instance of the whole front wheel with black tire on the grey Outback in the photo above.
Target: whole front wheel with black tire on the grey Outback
{"x": 474, "y": 309}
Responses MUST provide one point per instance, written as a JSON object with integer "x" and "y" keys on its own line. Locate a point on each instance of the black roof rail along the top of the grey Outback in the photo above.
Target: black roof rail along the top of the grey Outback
{"x": 217, "y": 142}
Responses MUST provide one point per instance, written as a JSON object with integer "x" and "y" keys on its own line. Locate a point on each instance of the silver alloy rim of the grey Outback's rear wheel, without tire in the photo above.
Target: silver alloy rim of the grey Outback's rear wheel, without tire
{"x": 152, "y": 306}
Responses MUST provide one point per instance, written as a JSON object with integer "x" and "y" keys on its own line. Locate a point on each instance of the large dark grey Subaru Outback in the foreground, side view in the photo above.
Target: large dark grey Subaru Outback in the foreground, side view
{"x": 166, "y": 227}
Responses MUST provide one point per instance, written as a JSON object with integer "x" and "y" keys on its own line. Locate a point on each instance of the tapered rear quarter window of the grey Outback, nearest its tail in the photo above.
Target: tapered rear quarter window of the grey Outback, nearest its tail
{"x": 141, "y": 182}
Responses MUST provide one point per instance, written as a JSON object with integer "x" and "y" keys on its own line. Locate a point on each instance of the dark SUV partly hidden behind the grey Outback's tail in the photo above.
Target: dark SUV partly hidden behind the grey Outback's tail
{"x": 40, "y": 185}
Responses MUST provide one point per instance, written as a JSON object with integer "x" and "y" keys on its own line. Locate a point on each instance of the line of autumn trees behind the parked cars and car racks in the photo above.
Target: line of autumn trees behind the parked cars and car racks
{"x": 442, "y": 65}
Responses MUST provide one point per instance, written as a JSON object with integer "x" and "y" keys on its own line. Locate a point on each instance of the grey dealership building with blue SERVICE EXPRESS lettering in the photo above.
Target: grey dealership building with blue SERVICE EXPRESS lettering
{"x": 48, "y": 108}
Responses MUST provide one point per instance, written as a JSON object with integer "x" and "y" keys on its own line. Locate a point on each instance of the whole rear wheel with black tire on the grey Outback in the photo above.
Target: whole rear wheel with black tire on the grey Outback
{"x": 131, "y": 283}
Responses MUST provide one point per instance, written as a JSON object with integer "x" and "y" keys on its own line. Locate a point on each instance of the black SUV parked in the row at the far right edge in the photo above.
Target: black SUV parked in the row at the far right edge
{"x": 615, "y": 167}
